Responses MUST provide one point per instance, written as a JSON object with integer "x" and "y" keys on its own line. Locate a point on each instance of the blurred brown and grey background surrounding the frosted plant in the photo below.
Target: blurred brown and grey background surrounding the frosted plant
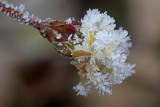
{"x": 32, "y": 74}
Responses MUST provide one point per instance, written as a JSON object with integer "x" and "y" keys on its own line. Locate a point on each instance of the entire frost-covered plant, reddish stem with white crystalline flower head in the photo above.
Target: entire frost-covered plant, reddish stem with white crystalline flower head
{"x": 98, "y": 50}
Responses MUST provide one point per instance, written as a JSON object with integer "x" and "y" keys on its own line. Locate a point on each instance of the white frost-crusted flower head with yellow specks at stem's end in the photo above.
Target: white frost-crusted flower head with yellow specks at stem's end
{"x": 109, "y": 48}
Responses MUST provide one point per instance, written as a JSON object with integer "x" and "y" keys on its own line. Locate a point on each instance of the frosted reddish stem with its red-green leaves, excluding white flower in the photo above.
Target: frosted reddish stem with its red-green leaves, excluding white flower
{"x": 56, "y": 32}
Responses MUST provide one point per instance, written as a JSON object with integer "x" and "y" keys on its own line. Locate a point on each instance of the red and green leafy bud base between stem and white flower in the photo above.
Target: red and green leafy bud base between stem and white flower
{"x": 63, "y": 35}
